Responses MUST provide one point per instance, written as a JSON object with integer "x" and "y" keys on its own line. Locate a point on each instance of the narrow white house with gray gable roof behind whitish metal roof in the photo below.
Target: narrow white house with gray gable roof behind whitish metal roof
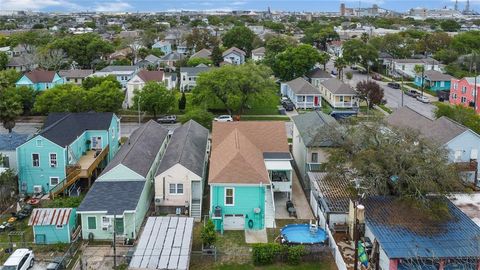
{"x": 180, "y": 178}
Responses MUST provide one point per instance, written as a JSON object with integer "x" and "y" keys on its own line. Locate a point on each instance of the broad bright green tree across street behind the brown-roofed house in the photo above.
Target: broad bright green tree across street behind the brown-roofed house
{"x": 235, "y": 87}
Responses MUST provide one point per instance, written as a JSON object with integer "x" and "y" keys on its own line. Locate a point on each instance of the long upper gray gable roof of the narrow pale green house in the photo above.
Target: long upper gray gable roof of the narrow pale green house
{"x": 140, "y": 151}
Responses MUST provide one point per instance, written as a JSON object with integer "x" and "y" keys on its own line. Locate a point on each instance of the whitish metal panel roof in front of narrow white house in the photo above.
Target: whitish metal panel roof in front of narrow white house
{"x": 166, "y": 243}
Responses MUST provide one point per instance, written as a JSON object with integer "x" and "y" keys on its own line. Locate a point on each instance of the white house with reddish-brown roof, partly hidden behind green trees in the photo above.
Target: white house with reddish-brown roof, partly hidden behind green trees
{"x": 138, "y": 81}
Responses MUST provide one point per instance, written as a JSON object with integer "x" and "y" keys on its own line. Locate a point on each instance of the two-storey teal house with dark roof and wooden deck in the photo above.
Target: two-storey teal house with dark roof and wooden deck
{"x": 68, "y": 152}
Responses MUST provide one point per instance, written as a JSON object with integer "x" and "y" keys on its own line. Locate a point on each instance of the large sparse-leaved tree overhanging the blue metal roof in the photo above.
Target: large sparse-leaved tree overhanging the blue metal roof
{"x": 396, "y": 163}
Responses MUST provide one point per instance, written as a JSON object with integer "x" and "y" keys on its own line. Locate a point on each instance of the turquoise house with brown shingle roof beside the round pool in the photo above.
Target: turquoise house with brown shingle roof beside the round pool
{"x": 250, "y": 162}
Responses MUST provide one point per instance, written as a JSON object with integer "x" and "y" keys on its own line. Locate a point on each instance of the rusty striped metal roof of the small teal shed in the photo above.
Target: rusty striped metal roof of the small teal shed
{"x": 50, "y": 216}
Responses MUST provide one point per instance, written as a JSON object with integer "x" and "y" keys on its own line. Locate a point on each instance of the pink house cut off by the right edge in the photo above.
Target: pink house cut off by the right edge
{"x": 462, "y": 92}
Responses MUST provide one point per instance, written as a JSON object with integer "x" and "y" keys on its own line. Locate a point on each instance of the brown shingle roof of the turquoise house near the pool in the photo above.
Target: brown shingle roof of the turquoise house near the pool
{"x": 238, "y": 147}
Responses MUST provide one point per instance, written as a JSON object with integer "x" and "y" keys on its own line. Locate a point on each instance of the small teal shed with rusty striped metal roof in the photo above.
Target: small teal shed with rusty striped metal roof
{"x": 54, "y": 225}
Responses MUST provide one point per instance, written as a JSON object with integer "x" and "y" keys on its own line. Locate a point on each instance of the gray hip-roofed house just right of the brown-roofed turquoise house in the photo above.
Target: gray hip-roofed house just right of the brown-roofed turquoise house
{"x": 311, "y": 135}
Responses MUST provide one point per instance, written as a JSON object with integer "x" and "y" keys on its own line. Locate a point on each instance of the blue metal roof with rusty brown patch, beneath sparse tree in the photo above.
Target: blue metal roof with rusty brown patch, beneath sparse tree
{"x": 402, "y": 235}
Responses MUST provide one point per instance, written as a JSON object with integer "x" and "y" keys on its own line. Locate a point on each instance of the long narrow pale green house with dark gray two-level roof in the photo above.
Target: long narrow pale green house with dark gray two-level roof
{"x": 121, "y": 196}
